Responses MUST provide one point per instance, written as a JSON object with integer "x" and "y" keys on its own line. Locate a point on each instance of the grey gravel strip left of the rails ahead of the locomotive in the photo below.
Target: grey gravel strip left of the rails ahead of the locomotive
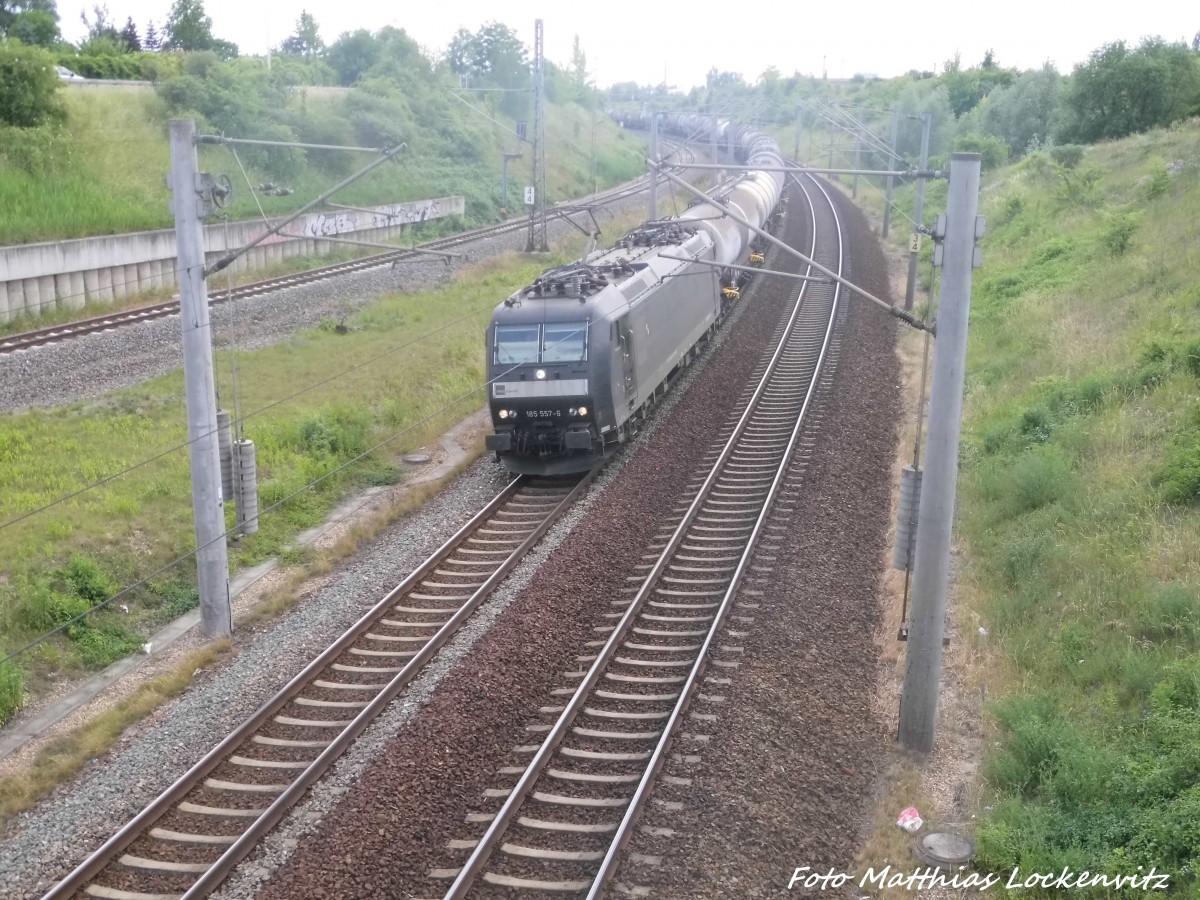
{"x": 44, "y": 845}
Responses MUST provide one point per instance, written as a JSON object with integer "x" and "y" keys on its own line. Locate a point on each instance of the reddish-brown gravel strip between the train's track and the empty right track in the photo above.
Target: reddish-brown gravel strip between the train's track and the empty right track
{"x": 415, "y": 797}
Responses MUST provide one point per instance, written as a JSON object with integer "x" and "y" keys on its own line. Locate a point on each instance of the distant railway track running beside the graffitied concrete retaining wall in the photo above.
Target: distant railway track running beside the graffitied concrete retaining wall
{"x": 53, "y": 334}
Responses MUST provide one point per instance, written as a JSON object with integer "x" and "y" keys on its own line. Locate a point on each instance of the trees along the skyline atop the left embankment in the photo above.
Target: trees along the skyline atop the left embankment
{"x": 199, "y": 71}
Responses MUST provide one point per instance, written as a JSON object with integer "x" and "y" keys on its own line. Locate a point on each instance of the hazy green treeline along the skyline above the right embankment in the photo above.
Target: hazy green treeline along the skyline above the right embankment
{"x": 1003, "y": 113}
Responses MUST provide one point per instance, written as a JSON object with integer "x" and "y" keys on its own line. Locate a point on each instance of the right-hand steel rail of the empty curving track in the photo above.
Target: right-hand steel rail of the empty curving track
{"x": 658, "y": 757}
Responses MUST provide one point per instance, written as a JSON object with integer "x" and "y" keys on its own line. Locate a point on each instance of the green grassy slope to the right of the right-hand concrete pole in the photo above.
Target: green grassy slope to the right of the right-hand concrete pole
{"x": 1078, "y": 523}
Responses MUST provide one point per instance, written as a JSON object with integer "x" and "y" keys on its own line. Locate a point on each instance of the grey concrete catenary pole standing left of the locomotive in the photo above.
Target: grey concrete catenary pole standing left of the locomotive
{"x": 208, "y": 509}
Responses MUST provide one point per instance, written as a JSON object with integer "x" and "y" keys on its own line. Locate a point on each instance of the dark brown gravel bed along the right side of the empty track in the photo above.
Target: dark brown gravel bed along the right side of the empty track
{"x": 788, "y": 776}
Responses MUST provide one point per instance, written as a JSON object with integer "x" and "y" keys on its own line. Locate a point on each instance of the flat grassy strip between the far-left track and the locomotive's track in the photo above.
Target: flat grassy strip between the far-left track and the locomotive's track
{"x": 418, "y": 353}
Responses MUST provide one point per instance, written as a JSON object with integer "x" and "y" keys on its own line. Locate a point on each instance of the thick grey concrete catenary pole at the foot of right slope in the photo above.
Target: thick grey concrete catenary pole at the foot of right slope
{"x": 931, "y": 585}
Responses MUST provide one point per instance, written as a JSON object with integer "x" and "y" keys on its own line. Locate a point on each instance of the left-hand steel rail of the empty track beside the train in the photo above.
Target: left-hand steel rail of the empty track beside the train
{"x": 508, "y": 813}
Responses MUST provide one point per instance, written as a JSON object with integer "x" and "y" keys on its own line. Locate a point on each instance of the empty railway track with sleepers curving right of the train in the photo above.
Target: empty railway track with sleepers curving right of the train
{"x": 565, "y": 808}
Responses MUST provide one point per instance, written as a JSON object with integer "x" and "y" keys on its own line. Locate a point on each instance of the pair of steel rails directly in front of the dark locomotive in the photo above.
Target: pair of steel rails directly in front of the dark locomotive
{"x": 134, "y": 830}
